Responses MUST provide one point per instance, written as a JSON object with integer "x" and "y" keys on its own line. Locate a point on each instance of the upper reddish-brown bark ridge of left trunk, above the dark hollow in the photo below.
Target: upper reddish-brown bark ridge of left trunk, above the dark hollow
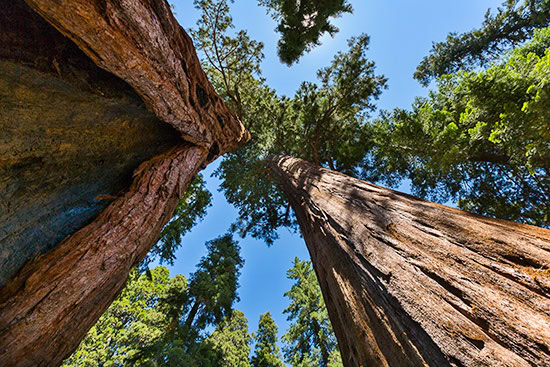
{"x": 141, "y": 42}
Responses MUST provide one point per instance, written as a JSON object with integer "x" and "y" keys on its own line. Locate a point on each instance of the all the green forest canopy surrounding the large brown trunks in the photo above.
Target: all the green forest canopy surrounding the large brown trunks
{"x": 481, "y": 138}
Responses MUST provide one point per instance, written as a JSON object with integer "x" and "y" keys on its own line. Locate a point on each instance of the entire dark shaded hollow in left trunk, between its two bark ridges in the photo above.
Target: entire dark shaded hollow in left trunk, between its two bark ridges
{"x": 71, "y": 135}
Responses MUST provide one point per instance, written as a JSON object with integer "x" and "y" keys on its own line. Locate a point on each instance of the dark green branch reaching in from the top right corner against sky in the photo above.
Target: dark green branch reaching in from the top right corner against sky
{"x": 510, "y": 26}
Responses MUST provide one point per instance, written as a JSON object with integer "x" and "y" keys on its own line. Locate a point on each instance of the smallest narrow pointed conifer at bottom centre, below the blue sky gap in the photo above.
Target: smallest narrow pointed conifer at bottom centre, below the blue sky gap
{"x": 266, "y": 351}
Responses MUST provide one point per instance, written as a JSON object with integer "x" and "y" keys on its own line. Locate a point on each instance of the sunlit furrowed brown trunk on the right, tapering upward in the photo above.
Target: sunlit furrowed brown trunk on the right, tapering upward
{"x": 414, "y": 283}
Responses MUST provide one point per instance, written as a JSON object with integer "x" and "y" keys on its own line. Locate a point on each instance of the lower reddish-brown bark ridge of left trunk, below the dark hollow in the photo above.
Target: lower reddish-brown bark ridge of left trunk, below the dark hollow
{"x": 48, "y": 308}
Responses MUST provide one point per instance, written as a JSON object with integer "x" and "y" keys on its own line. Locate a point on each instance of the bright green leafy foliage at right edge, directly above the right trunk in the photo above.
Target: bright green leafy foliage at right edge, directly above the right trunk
{"x": 482, "y": 138}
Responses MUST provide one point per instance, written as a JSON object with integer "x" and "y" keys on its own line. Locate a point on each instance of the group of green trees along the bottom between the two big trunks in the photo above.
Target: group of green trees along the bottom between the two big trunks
{"x": 149, "y": 322}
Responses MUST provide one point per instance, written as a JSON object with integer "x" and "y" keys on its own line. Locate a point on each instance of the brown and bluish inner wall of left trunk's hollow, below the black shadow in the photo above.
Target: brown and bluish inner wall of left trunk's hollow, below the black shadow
{"x": 65, "y": 154}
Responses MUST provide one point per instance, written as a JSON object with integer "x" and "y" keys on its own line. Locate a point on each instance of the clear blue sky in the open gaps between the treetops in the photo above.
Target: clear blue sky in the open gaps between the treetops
{"x": 402, "y": 32}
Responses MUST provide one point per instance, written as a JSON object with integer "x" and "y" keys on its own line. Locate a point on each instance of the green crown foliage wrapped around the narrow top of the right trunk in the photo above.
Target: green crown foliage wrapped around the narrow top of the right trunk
{"x": 322, "y": 123}
